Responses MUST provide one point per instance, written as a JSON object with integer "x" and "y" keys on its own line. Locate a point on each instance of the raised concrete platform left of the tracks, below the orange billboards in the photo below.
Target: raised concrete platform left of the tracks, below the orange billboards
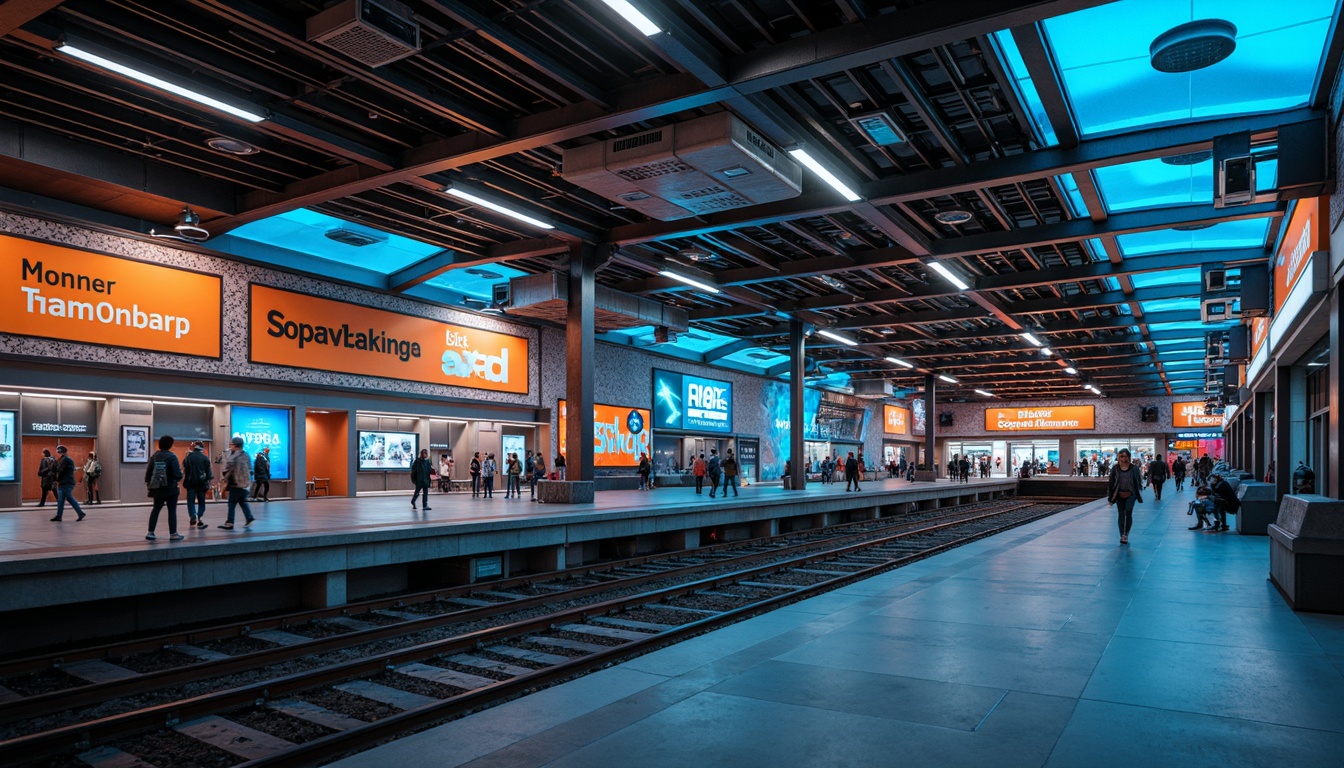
{"x": 75, "y": 579}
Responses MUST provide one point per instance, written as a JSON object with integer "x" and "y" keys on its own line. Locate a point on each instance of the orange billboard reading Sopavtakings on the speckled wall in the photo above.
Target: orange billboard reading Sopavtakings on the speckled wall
{"x": 306, "y": 332}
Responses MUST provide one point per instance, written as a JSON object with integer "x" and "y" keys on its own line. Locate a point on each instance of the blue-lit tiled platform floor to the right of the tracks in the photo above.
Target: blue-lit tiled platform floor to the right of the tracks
{"x": 1049, "y": 645}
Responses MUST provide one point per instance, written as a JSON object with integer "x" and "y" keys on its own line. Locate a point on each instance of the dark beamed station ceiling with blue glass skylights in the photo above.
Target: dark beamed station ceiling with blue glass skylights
{"x": 1083, "y": 173}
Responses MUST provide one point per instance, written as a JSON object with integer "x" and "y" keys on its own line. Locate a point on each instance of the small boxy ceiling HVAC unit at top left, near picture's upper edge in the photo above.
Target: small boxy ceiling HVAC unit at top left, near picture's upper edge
{"x": 374, "y": 33}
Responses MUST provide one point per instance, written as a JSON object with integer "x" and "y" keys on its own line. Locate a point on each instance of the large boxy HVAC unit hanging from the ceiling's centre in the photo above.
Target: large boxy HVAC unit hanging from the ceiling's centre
{"x": 704, "y": 166}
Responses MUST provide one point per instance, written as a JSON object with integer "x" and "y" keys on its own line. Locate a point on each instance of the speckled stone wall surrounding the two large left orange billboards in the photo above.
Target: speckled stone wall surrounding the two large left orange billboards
{"x": 236, "y": 319}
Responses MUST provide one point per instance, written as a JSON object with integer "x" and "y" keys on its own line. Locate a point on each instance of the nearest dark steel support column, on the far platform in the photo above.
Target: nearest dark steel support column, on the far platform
{"x": 580, "y": 364}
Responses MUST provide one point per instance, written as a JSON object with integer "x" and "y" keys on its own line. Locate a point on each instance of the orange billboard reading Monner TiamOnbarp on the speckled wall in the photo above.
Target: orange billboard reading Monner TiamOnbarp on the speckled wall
{"x": 99, "y": 299}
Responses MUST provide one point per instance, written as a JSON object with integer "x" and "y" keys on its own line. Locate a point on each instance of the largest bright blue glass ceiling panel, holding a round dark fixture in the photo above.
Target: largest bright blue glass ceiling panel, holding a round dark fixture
{"x": 1104, "y": 59}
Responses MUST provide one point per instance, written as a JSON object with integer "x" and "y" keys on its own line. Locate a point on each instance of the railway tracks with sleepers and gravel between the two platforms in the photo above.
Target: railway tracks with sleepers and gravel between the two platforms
{"x": 308, "y": 687}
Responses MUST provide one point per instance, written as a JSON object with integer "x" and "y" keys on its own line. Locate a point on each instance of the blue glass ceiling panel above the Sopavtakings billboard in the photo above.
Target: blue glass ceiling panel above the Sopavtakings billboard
{"x": 311, "y": 233}
